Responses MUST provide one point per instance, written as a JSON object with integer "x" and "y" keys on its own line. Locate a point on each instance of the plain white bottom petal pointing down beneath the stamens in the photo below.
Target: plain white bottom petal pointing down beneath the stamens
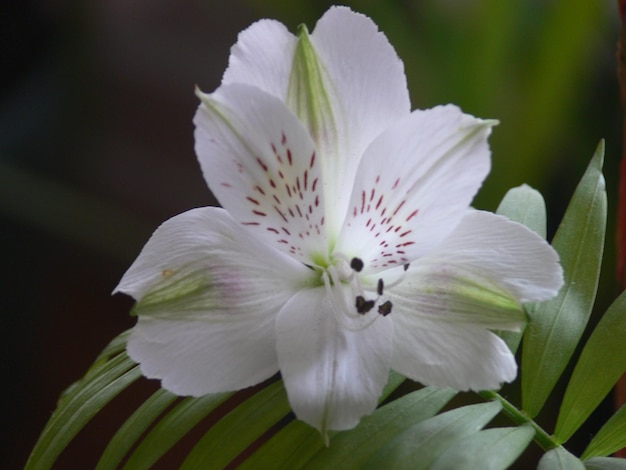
{"x": 333, "y": 376}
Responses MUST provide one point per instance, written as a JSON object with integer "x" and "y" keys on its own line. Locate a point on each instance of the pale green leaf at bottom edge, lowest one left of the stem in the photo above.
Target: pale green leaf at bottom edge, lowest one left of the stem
{"x": 489, "y": 449}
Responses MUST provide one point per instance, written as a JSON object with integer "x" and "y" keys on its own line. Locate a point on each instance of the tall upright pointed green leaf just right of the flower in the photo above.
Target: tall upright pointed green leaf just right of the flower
{"x": 557, "y": 325}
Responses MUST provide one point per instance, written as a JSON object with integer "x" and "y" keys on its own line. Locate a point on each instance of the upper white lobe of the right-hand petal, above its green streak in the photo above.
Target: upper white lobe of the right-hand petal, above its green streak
{"x": 505, "y": 252}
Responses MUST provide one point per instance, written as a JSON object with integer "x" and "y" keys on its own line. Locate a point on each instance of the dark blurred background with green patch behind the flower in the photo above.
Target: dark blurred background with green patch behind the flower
{"x": 96, "y": 146}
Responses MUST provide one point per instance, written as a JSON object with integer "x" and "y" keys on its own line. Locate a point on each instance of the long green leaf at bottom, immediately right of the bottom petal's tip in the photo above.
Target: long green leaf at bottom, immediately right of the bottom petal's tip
{"x": 351, "y": 449}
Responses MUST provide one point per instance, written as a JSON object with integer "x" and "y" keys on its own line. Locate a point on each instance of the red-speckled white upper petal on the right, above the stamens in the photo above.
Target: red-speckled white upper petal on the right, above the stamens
{"x": 413, "y": 186}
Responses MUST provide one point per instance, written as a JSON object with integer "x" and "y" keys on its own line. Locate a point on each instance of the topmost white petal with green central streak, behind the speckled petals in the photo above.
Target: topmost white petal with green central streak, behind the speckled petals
{"x": 363, "y": 87}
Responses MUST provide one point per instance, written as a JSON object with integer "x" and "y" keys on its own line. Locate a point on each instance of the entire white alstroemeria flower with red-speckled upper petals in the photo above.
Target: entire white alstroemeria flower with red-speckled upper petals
{"x": 346, "y": 245}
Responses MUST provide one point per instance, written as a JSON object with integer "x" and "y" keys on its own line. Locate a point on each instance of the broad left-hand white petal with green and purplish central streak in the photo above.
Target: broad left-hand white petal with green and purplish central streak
{"x": 207, "y": 296}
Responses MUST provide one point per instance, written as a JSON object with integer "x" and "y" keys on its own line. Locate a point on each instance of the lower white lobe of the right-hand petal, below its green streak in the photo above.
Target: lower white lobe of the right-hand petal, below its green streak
{"x": 464, "y": 357}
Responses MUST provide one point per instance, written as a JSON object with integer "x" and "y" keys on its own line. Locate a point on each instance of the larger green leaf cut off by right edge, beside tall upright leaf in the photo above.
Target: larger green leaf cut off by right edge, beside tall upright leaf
{"x": 601, "y": 364}
